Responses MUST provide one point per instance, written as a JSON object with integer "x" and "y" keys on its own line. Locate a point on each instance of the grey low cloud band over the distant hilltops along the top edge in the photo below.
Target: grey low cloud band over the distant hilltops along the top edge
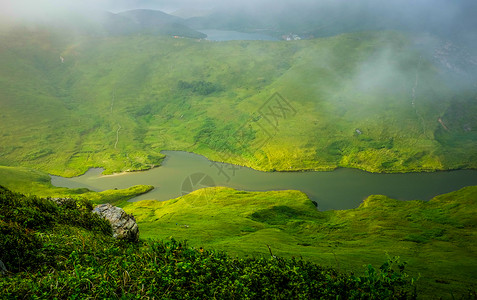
{"x": 447, "y": 17}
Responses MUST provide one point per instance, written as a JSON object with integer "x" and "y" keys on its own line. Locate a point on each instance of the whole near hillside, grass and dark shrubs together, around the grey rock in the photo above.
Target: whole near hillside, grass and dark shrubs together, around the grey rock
{"x": 435, "y": 241}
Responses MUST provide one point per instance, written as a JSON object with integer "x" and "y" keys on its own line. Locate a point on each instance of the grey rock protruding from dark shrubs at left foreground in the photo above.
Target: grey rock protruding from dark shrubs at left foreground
{"x": 124, "y": 226}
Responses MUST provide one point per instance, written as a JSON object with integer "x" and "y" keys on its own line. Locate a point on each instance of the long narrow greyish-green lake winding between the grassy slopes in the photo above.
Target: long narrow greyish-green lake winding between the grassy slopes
{"x": 340, "y": 189}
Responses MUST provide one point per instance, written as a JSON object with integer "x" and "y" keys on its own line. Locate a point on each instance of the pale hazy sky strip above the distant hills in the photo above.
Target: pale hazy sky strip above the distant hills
{"x": 440, "y": 13}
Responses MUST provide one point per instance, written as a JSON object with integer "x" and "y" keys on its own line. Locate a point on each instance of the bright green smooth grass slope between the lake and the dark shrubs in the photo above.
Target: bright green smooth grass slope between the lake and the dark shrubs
{"x": 437, "y": 238}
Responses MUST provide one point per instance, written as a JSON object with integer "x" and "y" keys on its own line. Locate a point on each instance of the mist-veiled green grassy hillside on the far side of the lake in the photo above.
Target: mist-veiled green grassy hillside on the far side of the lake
{"x": 64, "y": 117}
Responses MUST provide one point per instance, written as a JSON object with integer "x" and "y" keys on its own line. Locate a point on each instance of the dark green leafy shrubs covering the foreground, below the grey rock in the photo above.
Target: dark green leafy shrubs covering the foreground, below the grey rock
{"x": 52, "y": 251}
